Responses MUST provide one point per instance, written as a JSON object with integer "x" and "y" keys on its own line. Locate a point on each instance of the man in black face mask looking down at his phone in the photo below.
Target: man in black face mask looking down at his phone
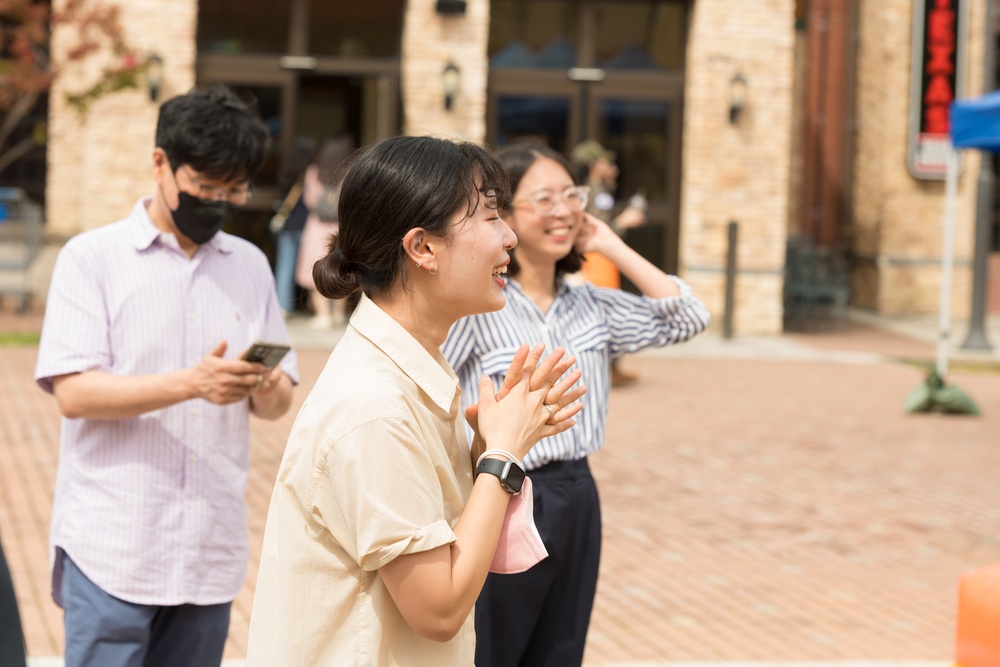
{"x": 144, "y": 325}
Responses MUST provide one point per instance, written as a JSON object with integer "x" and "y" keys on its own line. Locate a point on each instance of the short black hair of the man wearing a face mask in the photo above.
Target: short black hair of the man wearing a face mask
{"x": 213, "y": 131}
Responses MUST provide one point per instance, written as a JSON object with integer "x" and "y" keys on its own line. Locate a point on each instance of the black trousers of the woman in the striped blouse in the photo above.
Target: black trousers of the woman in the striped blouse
{"x": 540, "y": 617}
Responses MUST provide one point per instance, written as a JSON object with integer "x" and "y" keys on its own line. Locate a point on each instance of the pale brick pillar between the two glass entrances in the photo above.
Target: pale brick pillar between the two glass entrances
{"x": 430, "y": 42}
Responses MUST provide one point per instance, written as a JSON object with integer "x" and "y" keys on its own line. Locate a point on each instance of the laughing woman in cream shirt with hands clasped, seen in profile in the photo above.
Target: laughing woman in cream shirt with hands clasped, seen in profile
{"x": 378, "y": 535}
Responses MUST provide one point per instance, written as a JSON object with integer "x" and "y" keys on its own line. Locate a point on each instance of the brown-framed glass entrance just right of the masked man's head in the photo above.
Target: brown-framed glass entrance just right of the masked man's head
{"x": 317, "y": 70}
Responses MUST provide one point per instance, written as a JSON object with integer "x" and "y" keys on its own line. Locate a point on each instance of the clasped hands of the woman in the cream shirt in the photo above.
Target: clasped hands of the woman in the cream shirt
{"x": 536, "y": 400}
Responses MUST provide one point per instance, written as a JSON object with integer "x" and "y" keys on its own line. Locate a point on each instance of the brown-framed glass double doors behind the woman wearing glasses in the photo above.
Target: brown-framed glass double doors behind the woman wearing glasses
{"x": 562, "y": 72}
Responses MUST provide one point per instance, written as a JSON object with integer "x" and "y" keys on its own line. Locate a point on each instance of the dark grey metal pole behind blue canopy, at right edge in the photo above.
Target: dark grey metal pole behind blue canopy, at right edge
{"x": 977, "y": 339}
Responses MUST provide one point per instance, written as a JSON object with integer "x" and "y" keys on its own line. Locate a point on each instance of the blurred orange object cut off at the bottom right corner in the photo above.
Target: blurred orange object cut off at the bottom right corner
{"x": 978, "y": 639}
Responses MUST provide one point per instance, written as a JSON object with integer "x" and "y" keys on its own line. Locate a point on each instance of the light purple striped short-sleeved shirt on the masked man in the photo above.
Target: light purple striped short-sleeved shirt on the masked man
{"x": 152, "y": 508}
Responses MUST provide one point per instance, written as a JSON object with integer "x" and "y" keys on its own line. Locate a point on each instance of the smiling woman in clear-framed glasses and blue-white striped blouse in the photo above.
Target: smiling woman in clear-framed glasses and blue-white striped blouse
{"x": 540, "y": 617}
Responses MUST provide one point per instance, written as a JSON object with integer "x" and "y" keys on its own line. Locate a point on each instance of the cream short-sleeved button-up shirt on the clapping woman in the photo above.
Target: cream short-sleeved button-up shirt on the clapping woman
{"x": 377, "y": 465}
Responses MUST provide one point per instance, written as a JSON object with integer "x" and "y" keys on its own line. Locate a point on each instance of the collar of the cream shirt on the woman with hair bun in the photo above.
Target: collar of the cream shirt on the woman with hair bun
{"x": 431, "y": 373}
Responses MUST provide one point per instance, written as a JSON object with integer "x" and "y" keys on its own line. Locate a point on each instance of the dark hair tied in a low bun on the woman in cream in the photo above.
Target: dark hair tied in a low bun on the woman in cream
{"x": 392, "y": 187}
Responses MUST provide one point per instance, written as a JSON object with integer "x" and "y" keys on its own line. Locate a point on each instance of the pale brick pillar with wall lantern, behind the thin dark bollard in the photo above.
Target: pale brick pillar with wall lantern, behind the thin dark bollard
{"x": 738, "y": 171}
